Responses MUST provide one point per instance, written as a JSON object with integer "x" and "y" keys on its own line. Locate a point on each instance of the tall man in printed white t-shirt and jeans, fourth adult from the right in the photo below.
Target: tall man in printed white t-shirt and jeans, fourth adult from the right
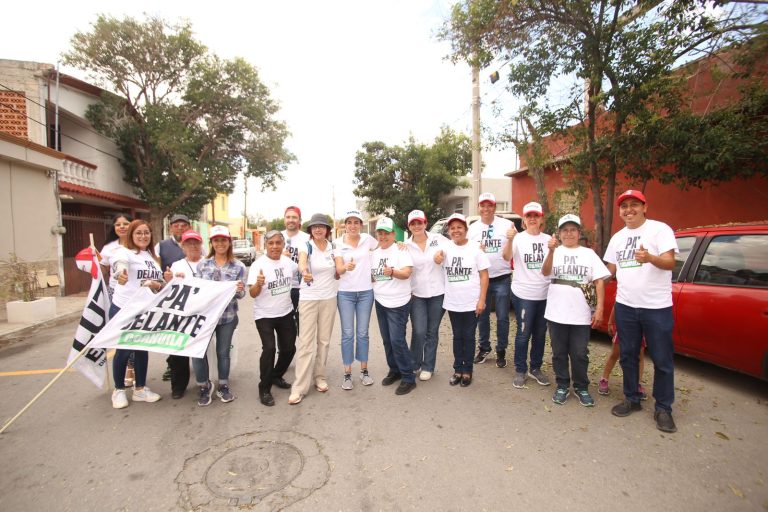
{"x": 495, "y": 234}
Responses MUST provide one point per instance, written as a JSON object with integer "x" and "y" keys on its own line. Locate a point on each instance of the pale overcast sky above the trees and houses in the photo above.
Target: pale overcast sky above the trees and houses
{"x": 344, "y": 73}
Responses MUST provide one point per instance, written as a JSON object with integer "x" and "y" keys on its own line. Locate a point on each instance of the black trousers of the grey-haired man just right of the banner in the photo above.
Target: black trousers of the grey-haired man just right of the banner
{"x": 285, "y": 329}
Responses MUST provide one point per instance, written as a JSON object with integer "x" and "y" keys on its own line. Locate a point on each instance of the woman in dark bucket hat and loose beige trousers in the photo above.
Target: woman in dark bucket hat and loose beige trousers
{"x": 317, "y": 307}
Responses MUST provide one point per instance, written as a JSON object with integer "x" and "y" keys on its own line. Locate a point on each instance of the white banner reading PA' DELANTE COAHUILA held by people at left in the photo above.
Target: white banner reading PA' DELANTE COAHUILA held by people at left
{"x": 178, "y": 320}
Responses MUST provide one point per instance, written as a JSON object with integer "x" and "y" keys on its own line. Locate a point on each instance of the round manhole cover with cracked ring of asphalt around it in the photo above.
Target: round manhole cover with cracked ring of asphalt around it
{"x": 266, "y": 470}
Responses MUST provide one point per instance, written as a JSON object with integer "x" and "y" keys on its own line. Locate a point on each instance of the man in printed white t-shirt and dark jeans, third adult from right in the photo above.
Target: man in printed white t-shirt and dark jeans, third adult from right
{"x": 529, "y": 296}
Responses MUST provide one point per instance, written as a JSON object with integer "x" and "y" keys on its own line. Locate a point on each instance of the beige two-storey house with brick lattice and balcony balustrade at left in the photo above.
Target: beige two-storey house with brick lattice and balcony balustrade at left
{"x": 72, "y": 172}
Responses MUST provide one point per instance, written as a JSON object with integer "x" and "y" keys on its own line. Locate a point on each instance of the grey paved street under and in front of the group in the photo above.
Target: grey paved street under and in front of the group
{"x": 486, "y": 447}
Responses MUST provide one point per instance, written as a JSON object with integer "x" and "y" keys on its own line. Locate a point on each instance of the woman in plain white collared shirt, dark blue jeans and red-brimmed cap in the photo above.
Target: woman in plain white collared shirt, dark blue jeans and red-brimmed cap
{"x": 428, "y": 288}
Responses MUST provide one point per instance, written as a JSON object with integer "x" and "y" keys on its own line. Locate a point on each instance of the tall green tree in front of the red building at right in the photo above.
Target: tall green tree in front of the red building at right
{"x": 617, "y": 55}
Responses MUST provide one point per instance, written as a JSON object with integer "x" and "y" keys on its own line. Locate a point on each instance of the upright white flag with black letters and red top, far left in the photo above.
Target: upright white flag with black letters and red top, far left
{"x": 93, "y": 364}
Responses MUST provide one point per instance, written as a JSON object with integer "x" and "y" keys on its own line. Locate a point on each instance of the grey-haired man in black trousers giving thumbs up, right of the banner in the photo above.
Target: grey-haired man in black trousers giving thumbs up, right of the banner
{"x": 269, "y": 283}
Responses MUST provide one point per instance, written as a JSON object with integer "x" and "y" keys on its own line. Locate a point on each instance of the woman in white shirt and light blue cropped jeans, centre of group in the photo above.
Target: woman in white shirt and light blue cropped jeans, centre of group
{"x": 352, "y": 253}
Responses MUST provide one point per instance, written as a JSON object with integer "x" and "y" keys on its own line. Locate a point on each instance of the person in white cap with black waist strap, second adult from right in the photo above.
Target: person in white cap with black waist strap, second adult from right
{"x": 568, "y": 313}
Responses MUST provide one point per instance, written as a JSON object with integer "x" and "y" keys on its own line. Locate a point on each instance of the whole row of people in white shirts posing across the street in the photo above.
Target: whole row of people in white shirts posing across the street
{"x": 304, "y": 278}
